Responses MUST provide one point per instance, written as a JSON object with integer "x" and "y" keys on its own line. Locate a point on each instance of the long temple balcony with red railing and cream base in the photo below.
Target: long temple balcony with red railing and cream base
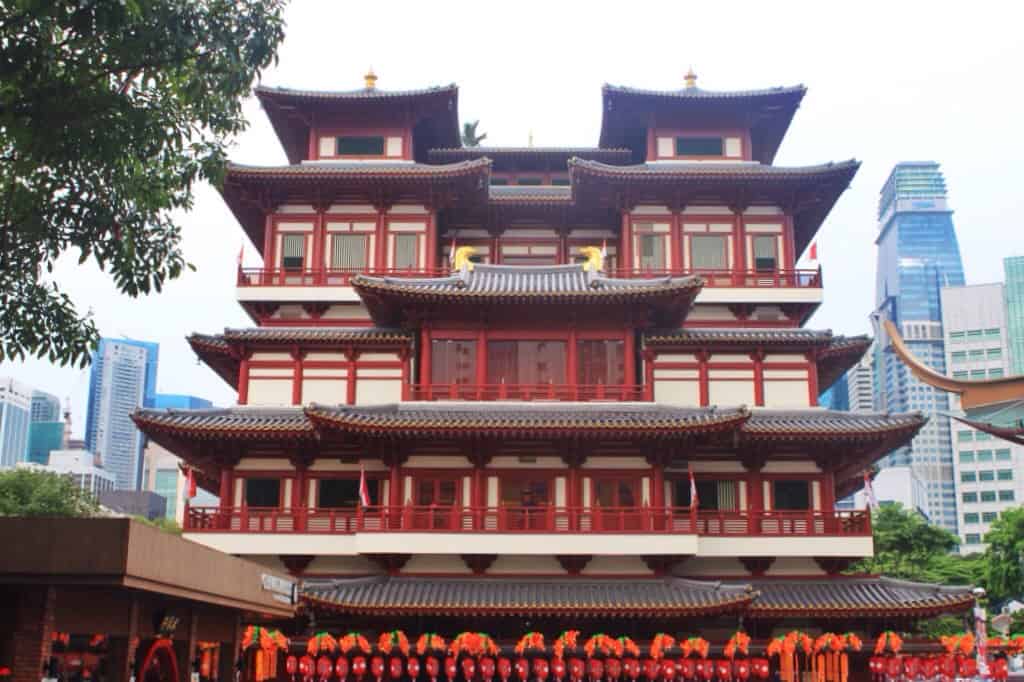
{"x": 532, "y": 531}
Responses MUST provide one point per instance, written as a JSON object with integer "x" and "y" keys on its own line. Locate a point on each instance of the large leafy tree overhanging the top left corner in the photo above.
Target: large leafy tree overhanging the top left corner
{"x": 110, "y": 112}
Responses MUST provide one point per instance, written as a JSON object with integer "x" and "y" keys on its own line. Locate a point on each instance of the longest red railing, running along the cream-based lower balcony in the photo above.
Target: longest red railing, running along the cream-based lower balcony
{"x": 542, "y": 519}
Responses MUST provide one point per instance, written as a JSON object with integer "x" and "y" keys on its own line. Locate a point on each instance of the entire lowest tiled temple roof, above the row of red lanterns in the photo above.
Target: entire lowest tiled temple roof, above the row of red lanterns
{"x": 587, "y": 598}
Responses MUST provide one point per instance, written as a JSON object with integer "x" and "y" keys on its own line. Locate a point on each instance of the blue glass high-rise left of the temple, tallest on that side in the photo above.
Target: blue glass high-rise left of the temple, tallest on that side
{"x": 123, "y": 379}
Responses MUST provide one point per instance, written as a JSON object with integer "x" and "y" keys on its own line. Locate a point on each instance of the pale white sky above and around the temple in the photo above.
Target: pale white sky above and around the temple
{"x": 887, "y": 82}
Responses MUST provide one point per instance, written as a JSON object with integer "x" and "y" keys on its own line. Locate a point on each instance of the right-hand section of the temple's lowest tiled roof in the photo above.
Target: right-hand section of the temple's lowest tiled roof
{"x": 857, "y": 598}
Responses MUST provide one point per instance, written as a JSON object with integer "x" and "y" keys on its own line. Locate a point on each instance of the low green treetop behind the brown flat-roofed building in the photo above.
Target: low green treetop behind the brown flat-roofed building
{"x": 28, "y": 493}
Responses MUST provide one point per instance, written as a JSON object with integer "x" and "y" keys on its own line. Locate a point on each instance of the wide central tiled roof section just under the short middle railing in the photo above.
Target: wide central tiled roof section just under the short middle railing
{"x": 530, "y": 420}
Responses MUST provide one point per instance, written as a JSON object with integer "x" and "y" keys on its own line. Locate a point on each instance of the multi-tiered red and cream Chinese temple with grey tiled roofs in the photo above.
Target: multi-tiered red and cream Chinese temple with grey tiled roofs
{"x": 541, "y": 390}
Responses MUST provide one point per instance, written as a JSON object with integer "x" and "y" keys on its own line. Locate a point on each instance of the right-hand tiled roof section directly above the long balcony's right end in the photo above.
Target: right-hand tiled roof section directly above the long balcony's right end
{"x": 814, "y": 423}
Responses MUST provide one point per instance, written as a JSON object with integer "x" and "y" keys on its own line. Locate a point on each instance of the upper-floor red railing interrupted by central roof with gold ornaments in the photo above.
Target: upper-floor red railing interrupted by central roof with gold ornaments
{"x": 780, "y": 279}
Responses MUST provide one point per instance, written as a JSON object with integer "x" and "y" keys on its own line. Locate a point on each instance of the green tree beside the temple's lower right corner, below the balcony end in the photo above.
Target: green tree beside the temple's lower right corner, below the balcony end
{"x": 908, "y": 546}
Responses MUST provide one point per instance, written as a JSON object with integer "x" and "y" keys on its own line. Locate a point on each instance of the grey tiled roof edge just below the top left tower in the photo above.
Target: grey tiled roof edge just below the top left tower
{"x": 356, "y": 170}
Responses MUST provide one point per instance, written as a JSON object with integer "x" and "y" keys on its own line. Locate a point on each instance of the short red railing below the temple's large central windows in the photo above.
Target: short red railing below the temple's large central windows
{"x": 539, "y": 393}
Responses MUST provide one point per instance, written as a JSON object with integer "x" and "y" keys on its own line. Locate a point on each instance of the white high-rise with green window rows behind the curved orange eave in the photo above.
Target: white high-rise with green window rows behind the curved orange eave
{"x": 990, "y": 473}
